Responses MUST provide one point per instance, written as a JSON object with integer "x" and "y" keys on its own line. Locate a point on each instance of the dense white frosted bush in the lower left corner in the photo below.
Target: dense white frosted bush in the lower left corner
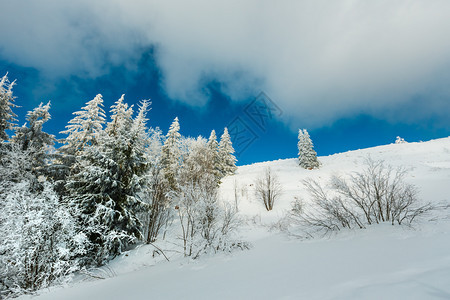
{"x": 39, "y": 240}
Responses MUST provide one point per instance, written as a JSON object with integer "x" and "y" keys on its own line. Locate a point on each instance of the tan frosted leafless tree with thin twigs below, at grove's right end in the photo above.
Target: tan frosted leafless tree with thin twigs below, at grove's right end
{"x": 205, "y": 224}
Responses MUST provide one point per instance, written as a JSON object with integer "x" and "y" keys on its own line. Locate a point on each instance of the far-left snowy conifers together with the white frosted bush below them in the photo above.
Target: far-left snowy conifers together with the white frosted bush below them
{"x": 40, "y": 240}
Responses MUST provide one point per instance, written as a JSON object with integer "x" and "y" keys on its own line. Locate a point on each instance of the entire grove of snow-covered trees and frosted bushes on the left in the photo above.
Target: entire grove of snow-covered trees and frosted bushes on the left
{"x": 111, "y": 184}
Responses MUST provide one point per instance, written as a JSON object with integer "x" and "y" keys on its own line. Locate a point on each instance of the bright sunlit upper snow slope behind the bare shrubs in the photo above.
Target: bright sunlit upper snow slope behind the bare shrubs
{"x": 429, "y": 163}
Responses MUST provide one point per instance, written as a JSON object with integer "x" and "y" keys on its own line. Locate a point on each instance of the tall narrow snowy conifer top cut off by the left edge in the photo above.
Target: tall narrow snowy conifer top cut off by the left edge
{"x": 7, "y": 116}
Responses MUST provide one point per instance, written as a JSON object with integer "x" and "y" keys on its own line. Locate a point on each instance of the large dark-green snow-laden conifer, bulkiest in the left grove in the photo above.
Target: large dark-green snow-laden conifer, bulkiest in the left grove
{"x": 109, "y": 178}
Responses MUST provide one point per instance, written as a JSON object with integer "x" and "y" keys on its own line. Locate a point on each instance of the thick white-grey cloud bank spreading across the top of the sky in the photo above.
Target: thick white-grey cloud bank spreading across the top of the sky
{"x": 319, "y": 60}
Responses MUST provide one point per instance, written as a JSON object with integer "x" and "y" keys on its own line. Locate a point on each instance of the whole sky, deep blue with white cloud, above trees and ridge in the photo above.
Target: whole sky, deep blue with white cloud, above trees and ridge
{"x": 355, "y": 74}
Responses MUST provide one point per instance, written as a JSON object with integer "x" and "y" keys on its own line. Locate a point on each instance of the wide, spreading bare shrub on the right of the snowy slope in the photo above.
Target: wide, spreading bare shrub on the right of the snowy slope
{"x": 375, "y": 195}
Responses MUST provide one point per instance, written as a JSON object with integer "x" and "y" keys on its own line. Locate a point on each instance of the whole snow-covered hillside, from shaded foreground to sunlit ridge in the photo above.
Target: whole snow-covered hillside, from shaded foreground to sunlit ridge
{"x": 380, "y": 262}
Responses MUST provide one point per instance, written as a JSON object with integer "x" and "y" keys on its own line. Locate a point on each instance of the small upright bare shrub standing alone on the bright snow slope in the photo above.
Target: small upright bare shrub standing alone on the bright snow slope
{"x": 268, "y": 188}
